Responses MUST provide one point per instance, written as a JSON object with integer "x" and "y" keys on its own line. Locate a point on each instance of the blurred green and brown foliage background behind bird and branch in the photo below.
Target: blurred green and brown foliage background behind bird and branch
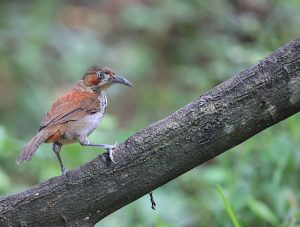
{"x": 173, "y": 51}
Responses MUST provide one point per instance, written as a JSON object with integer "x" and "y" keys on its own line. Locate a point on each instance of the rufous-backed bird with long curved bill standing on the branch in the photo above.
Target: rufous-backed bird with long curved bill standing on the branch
{"x": 75, "y": 115}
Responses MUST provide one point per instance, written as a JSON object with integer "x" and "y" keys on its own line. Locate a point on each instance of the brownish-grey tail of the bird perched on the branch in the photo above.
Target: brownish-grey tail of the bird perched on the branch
{"x": 32, "y": 146}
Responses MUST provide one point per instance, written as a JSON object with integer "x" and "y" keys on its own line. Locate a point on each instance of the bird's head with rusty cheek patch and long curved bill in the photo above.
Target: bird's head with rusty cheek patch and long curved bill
{"x": 100, "y": 78}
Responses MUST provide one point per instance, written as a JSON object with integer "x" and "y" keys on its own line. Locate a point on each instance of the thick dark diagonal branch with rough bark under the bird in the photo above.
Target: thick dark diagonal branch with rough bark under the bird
{"x": 232, "y": 112}
